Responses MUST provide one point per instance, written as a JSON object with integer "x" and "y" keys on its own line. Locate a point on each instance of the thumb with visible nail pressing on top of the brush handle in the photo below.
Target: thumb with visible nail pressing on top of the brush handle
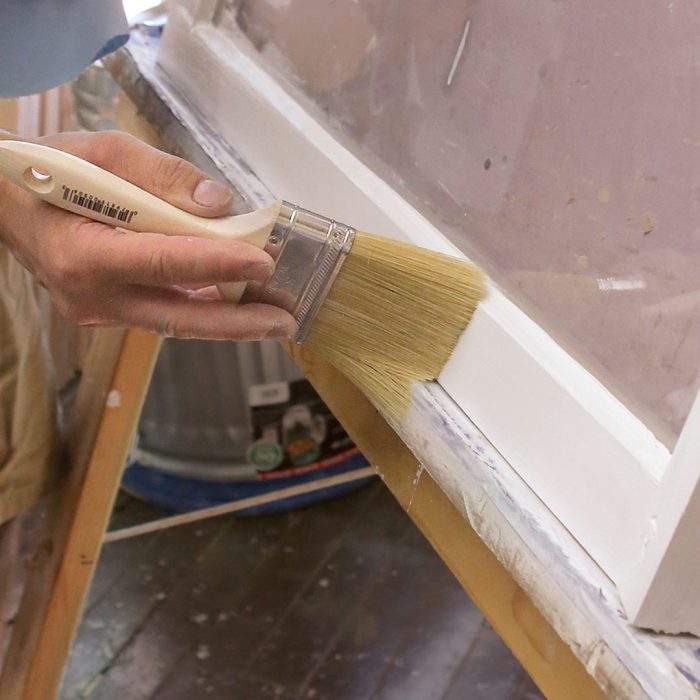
{"x": 166, "y": 176}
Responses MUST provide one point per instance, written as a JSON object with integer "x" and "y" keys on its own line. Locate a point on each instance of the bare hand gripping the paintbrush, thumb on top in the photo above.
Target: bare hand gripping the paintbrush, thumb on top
{"x": 98, "y": 275}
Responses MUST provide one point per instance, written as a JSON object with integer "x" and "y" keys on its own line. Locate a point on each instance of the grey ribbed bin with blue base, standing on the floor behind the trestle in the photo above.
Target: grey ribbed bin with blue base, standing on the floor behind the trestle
{"x": 227, "y": 421}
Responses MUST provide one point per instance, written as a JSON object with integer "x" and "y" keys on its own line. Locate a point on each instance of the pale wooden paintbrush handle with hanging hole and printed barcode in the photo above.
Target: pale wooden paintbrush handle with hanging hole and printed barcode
{"x": 75, "y": 185}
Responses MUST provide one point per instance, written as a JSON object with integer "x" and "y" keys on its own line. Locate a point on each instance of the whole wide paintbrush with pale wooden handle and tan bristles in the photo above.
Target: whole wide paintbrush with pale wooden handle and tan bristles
{"x": 385, "y": 313}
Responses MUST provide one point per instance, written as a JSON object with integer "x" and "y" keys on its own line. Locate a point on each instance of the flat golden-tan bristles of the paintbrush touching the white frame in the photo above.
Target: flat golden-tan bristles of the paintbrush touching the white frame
{"x": 393, "y": 317}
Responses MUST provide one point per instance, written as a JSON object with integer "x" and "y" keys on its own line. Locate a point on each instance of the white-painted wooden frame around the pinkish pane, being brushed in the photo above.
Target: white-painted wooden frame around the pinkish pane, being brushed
{"x": 628, "y": 501}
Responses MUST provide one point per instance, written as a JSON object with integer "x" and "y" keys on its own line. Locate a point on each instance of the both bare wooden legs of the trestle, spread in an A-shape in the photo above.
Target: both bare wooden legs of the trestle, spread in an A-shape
{"x": 112, "y": 391}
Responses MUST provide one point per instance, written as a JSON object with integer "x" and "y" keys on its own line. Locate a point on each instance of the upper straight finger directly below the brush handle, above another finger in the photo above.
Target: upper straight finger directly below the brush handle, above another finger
{"x": 158, "y": 260}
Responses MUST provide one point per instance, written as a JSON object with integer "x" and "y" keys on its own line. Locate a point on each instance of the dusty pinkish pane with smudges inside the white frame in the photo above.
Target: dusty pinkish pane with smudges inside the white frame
{"x": 558, "y": 144}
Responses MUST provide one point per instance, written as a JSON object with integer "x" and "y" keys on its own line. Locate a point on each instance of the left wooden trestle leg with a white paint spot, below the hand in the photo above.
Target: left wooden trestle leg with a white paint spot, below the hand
{"x": 116, "y": 376}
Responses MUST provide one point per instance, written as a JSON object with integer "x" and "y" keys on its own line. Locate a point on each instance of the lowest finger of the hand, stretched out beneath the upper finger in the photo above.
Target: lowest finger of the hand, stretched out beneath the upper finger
{"x": 180, "y": 313}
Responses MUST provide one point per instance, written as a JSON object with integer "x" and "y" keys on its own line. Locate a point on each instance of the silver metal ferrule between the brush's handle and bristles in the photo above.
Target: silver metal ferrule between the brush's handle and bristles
{"x": 308, "y": 250}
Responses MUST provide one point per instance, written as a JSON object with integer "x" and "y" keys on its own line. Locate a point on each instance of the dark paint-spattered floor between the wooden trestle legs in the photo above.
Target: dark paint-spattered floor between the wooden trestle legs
{"x": 344, "y": 600}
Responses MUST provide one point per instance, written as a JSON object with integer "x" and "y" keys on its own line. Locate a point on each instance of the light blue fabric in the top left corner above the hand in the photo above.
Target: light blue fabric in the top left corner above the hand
{"x": 44, "y": 43}
